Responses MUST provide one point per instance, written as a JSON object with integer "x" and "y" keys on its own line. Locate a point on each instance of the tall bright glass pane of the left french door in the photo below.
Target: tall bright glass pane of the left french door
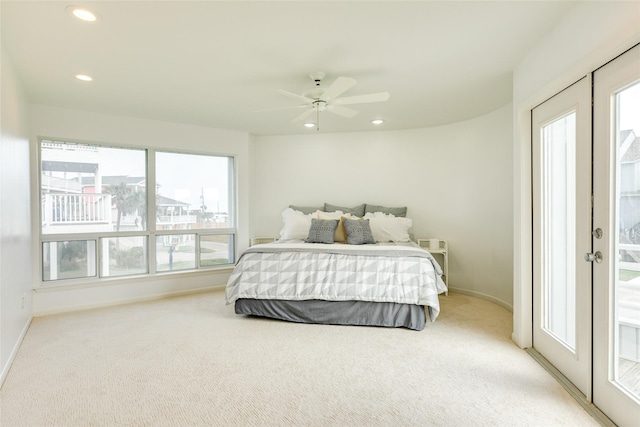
{"x": 558, "y": 141}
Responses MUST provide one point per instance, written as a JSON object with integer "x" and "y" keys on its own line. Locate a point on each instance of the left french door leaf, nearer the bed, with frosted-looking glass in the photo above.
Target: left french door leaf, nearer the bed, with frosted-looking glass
{"x": 561, "y": 141}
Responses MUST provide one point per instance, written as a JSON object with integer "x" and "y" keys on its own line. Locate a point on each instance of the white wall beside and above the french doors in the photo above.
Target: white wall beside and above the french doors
{"x": 590, "y": 35}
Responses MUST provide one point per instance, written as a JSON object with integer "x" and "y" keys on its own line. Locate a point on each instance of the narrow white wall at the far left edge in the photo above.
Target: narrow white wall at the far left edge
{"x": 15, "y": 225}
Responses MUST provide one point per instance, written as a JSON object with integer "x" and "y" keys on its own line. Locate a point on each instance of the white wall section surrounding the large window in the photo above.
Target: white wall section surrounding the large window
{"x": 126, "y": 131}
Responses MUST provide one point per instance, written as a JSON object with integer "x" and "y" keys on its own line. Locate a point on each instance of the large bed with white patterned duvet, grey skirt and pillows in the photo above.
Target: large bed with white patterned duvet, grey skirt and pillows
{"x": 380, "y": 283}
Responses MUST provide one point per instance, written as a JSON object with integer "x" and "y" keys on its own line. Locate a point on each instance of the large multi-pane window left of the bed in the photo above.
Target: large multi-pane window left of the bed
{"x": 99, "y": 218}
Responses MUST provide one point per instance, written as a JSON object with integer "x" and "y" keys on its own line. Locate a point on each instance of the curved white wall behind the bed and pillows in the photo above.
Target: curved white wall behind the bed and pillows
{"x": 454, "y": 179}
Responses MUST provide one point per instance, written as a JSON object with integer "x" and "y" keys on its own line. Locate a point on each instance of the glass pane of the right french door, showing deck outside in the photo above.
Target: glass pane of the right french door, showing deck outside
{"x": 627, "y": 240}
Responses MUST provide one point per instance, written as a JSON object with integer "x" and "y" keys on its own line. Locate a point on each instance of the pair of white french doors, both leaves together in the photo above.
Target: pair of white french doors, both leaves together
{"x": 586, "y": 235}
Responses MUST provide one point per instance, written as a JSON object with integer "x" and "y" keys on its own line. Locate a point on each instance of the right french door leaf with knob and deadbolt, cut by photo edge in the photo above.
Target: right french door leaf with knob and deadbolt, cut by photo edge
{"x": 616, "y": 279}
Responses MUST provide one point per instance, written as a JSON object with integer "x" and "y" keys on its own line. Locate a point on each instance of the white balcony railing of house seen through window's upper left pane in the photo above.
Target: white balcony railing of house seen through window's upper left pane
{"x": 69, "y": 209}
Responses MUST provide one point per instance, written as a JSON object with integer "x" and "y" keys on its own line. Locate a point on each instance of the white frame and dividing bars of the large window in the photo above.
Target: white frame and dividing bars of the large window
{"x": 150, "y": 233}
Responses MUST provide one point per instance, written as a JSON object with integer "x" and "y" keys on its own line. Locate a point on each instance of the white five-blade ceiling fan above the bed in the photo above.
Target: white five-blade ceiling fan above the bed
{"x": 320, "y": 98}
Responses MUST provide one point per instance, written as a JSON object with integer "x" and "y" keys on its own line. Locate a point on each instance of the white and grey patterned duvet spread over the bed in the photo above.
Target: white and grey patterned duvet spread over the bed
{"x": 338, "y": 272}
